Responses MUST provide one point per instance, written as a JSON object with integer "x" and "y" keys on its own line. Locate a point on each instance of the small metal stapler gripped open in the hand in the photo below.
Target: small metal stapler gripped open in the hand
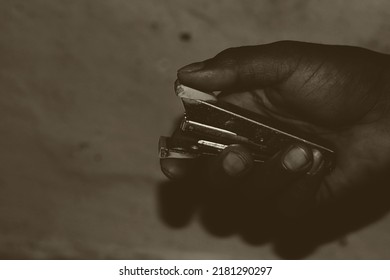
{"x": 210, "y": 125}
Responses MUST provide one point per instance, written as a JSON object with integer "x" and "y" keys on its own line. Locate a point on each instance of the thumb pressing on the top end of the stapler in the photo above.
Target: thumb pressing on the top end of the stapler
{"x": 243, "y": 68}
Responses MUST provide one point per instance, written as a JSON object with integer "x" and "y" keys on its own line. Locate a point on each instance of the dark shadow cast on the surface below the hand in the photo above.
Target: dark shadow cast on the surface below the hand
{"x": 230, "y": 211}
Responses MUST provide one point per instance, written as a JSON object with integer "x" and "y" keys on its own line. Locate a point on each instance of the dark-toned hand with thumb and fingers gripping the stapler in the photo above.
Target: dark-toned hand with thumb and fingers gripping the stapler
{"x": 338, "y": 93}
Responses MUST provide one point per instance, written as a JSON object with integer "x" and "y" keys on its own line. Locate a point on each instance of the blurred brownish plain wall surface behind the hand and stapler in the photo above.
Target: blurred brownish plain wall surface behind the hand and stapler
{"x": 86, "y": 89}
